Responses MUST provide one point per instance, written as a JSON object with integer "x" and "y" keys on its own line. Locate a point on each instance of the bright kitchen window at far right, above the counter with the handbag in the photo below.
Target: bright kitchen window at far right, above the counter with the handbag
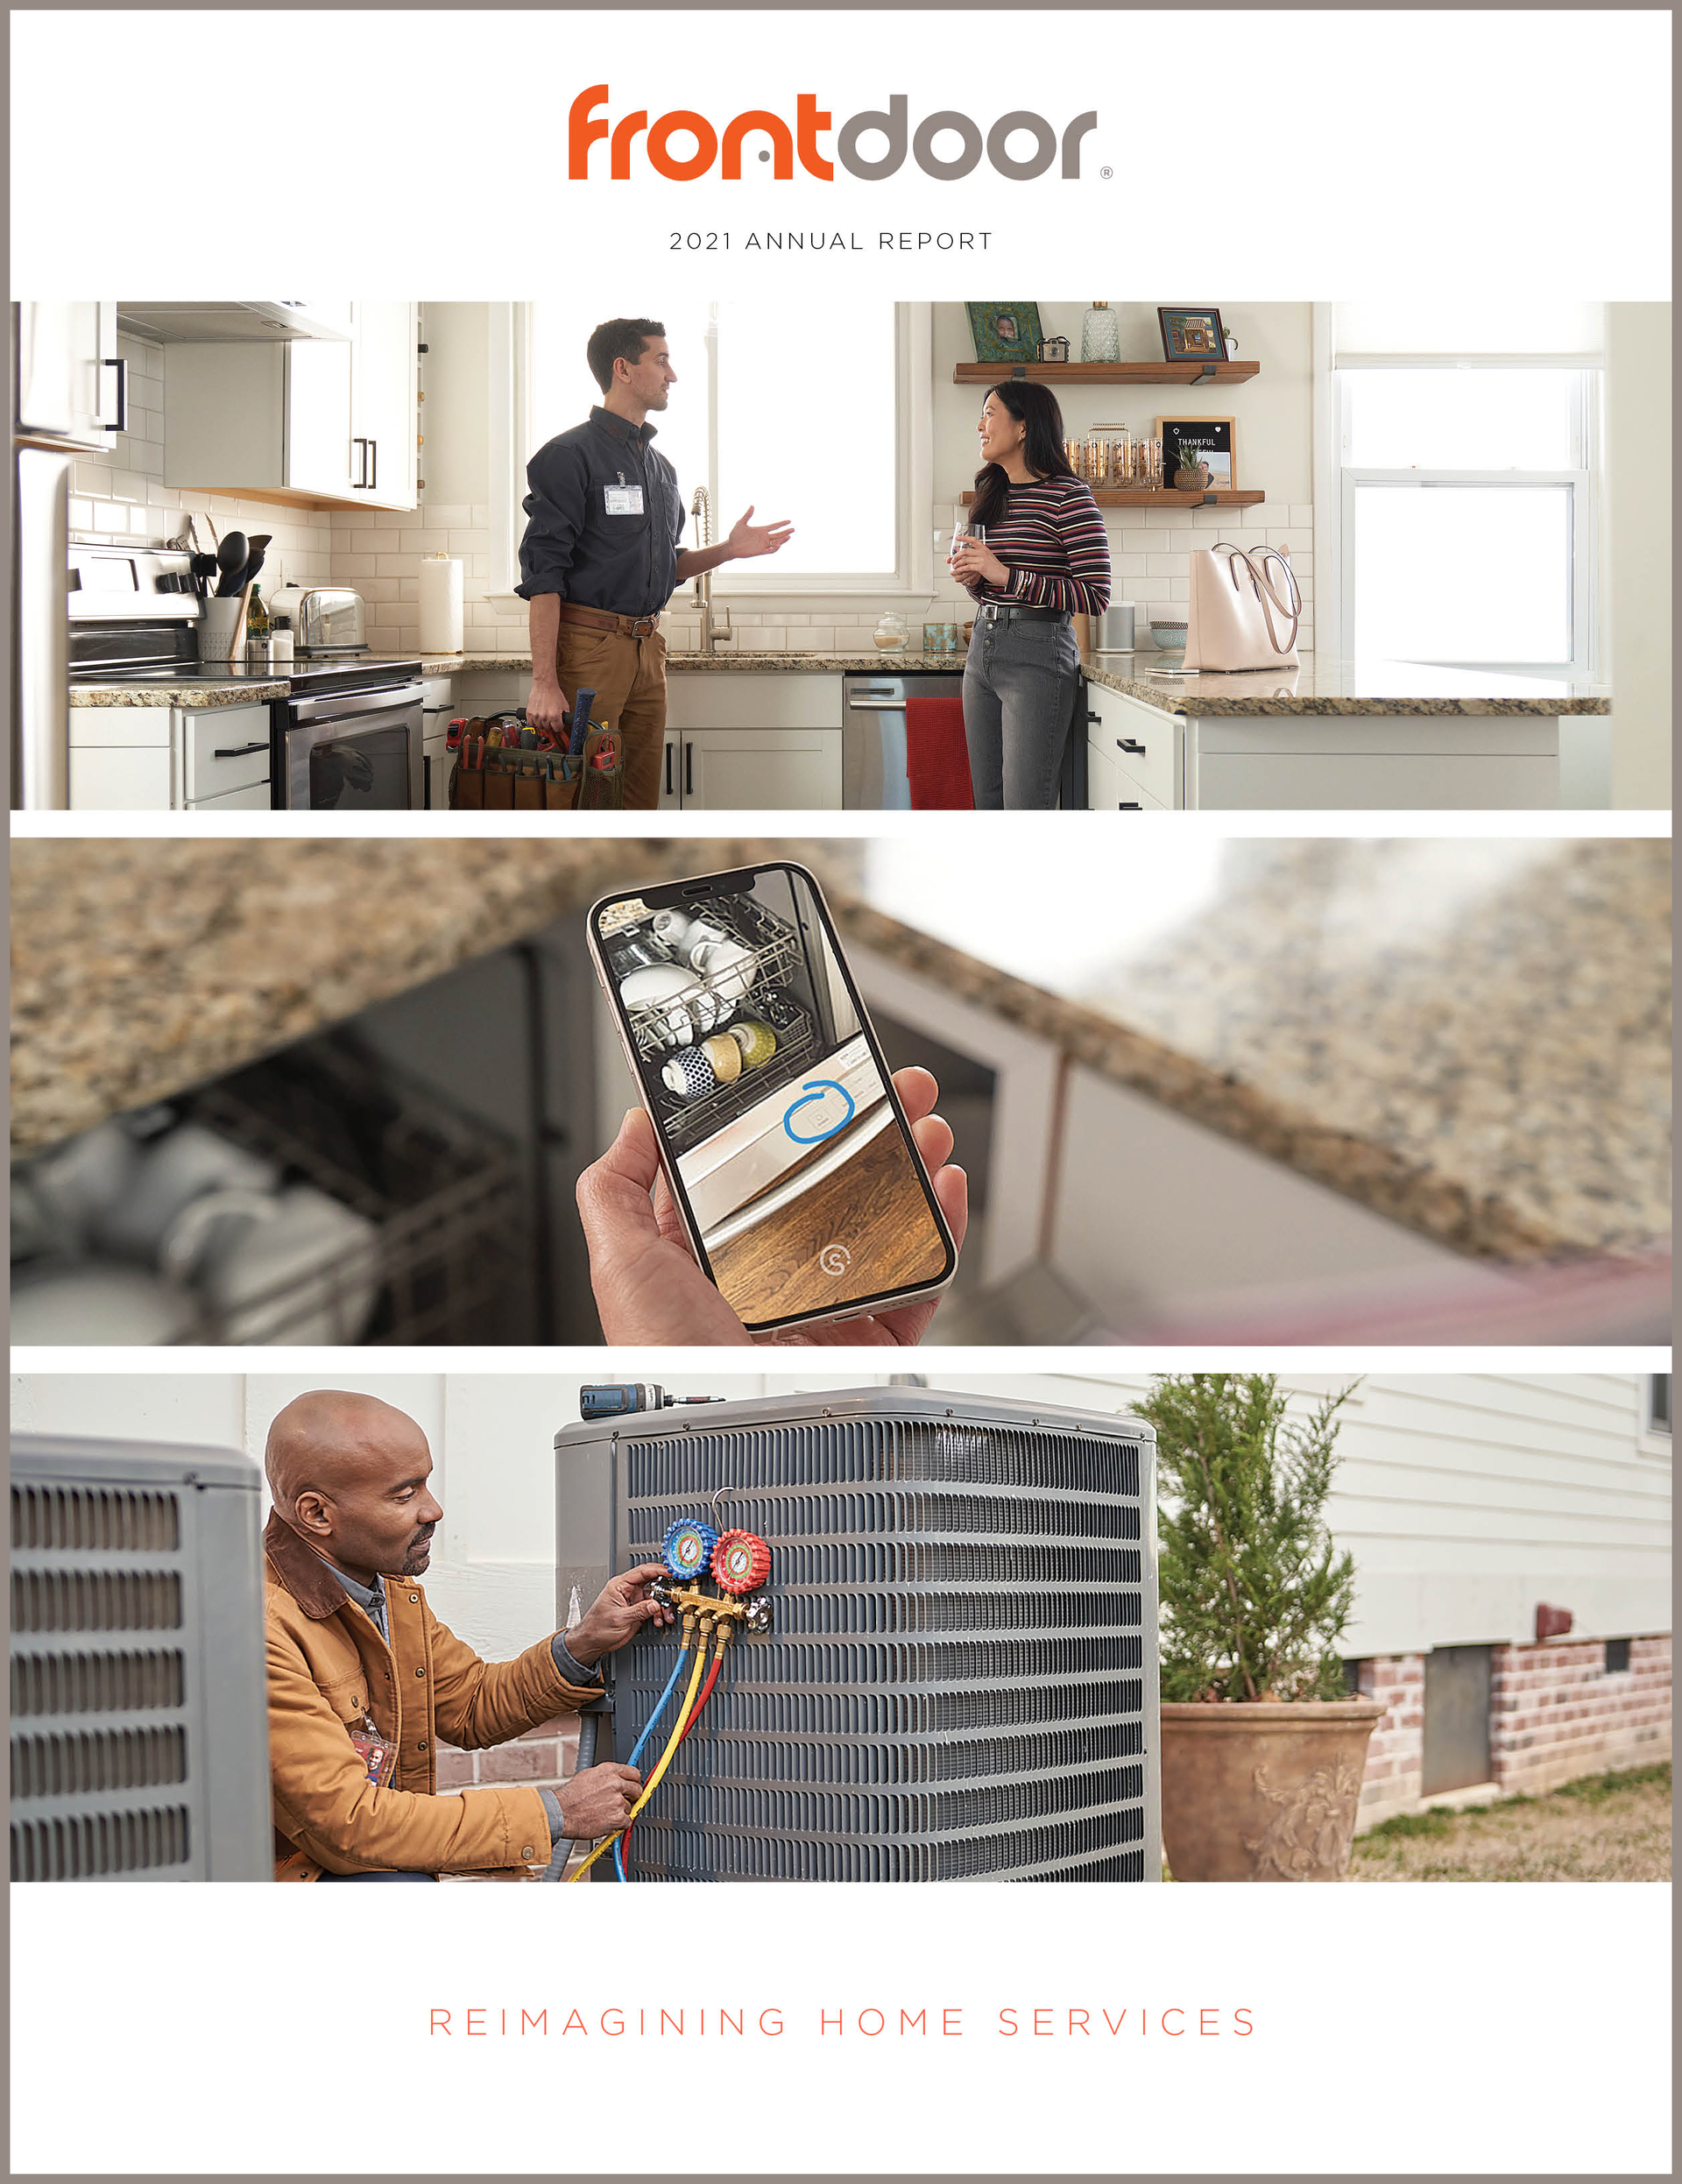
{"x": 1467, "y": 512}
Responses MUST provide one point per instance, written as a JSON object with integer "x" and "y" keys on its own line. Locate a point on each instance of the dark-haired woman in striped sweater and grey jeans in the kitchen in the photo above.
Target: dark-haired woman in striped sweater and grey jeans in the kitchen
{"x": 1045, "y": 558}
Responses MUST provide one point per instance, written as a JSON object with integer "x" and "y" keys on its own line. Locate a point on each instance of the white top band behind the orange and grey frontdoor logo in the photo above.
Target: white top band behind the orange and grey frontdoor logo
{"x": 1268, "y": 154}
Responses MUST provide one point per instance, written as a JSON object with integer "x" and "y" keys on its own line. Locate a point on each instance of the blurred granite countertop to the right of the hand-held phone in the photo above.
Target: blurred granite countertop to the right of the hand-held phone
{"x": 1467, "y": 1036}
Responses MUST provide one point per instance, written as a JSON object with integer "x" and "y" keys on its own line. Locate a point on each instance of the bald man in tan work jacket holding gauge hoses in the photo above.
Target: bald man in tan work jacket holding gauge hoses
{"x": 364, "y": 1681}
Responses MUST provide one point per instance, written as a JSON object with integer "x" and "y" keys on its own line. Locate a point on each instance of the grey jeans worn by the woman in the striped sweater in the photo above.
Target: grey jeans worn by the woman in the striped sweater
{"x": 1019, "y": 700}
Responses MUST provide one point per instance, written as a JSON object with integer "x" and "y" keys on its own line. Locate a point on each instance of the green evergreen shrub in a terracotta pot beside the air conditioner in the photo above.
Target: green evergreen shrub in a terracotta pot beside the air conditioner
{"x": 1261, "y": 1748}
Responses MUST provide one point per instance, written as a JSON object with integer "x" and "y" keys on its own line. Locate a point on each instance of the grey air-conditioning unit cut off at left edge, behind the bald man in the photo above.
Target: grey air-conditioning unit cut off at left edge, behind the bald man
{"x": 139, "y": 1722}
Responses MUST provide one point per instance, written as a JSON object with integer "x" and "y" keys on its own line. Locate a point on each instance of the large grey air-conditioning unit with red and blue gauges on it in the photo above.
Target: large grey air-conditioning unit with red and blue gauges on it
{"x": 960, "y": 1681}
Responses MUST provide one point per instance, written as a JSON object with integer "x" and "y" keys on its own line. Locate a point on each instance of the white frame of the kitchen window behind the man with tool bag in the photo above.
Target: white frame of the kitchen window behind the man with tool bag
{"x": 914, "y": 471}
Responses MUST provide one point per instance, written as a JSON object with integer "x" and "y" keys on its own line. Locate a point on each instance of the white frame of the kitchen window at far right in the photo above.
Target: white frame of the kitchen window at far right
{"x": 1580, "y": 482}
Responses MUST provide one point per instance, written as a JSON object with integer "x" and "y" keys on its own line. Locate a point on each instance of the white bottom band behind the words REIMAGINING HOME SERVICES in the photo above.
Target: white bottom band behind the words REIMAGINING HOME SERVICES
{"x": 1397, "y": 2030}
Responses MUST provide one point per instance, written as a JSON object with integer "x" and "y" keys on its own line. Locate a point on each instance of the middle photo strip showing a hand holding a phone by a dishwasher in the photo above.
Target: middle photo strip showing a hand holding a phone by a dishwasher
{"x": 1266, "y": 1091}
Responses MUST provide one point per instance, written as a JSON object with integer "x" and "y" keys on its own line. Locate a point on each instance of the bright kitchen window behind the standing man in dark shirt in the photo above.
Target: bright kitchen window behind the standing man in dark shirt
{"x": 779, "y": 405}
